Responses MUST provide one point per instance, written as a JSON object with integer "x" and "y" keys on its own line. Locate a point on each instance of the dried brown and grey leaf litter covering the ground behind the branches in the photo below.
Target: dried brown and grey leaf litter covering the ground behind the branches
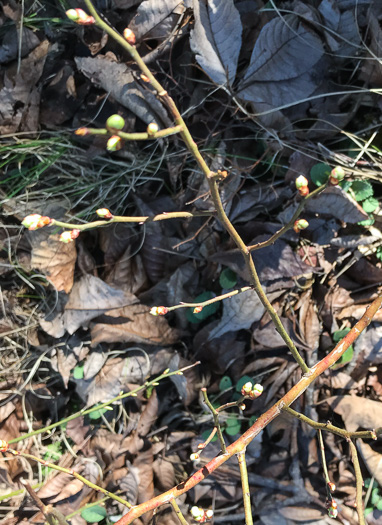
{"x": 94, "y": 337}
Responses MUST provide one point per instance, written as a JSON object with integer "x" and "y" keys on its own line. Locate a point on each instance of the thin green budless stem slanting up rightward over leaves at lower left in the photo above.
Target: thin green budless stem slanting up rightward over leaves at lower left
{"x": 133, "y": 393}
